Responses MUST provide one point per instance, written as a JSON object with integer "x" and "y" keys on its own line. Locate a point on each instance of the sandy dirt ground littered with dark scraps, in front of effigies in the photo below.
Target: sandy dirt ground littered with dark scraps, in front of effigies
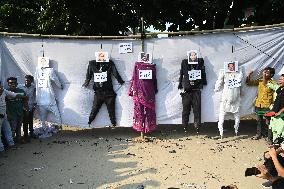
{"x": 107, "y": 159}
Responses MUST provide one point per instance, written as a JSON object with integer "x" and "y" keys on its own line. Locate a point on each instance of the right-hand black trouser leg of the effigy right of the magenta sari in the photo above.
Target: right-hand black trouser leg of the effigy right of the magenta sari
{"x": 196, "y": 105}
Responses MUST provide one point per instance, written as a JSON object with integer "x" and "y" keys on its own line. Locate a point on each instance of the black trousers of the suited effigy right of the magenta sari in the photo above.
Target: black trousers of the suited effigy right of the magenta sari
{"x": 191, "y": 99}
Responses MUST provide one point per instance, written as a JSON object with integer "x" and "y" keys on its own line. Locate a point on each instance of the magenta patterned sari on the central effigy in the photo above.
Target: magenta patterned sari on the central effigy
{"x": 143, "y": 93}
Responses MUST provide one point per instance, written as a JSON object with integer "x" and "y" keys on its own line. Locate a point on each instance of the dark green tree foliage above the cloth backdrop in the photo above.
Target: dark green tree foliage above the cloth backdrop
{"x": 116, "y": 17}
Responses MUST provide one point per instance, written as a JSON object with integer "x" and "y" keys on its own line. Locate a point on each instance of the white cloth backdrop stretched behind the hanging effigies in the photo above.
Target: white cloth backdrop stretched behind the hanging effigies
{"x": 253, "y": 49}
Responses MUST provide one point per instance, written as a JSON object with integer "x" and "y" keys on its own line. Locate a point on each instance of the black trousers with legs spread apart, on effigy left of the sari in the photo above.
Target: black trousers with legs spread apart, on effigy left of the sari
{"x": 107, "y": 97}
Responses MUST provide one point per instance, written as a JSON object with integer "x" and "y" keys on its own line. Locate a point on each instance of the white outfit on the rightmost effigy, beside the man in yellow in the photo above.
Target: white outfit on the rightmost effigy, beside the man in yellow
{"x": 231, "y": 97}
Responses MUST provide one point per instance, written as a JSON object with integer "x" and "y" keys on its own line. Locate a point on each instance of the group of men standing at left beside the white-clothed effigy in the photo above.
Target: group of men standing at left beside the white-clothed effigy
{"x": 17, "y": 105}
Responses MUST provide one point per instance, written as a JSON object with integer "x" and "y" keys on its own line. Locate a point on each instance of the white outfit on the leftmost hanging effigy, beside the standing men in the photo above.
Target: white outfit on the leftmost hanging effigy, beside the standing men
{"x": 45, "y": 96}
